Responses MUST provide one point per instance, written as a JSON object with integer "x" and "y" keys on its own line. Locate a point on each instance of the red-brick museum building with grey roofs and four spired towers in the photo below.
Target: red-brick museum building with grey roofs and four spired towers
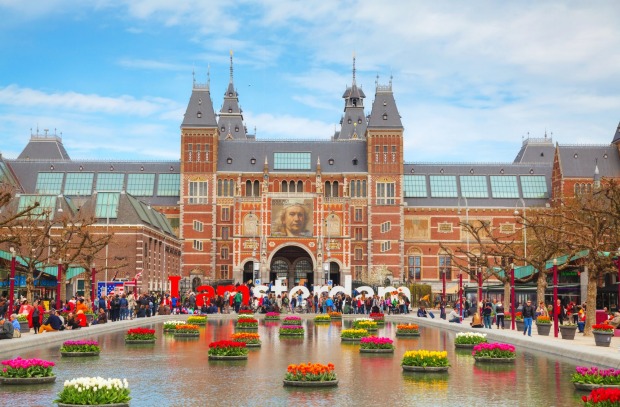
{"x": 236, "y": 207}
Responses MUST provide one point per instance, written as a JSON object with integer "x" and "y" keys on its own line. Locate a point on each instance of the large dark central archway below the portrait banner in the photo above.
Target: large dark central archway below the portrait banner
{"x": 293, "y": 265}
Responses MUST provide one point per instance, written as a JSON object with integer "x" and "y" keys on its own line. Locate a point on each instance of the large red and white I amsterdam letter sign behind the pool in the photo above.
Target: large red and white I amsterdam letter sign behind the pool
{"x": 206, "y": 291}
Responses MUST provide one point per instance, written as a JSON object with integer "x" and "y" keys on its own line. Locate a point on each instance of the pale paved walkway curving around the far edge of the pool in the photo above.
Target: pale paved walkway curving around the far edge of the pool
{"x": 581, "y": 350}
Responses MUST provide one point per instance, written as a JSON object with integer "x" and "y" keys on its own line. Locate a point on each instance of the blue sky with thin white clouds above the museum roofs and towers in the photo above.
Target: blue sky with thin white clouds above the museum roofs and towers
{"x": 471, "y": 79}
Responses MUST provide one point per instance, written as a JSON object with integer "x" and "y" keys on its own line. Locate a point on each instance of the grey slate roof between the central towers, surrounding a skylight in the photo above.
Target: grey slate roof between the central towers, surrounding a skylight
{"x": 343, "y": 154}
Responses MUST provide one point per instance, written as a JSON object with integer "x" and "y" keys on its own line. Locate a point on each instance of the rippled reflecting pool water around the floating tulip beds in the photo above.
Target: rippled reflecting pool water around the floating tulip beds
{"x": 175, "y": 372}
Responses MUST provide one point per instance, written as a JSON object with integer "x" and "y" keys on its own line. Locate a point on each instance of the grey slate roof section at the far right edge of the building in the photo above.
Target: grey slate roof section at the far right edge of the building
{"x": 579, "y": 161}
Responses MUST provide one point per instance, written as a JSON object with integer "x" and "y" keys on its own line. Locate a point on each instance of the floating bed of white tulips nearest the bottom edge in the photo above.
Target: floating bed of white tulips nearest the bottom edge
{"x": 94, "y": 391}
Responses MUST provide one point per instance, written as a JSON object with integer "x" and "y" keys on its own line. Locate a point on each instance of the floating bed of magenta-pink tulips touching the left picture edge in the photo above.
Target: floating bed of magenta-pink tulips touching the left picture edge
{"x": 26, "y": 371}
